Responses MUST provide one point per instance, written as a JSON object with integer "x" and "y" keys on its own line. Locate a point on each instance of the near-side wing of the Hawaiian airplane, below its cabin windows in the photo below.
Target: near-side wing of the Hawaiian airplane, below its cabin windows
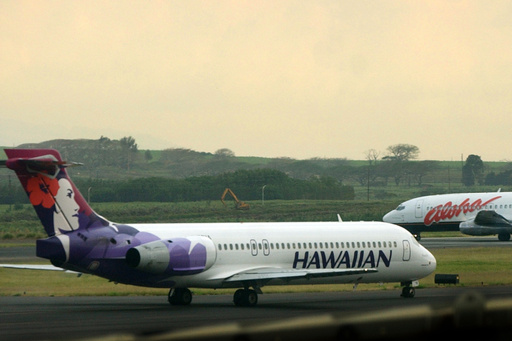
{"x": 266, "y": 274}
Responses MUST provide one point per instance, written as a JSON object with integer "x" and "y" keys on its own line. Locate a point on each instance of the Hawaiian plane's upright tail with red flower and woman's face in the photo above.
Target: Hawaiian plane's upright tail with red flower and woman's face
{"x": 58, "y": 203}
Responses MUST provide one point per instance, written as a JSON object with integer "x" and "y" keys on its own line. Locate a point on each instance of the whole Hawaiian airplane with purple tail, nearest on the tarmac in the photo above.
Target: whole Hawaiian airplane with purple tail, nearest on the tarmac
{"x": 214, "y": 255}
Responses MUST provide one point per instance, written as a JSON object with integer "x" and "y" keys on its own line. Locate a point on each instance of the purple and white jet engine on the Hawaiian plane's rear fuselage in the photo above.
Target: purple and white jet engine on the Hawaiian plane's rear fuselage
{"x": 178, "y": 256}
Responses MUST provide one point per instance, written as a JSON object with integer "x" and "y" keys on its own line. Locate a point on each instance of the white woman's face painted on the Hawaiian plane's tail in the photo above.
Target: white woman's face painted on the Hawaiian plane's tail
{"x": 65, "y": 217}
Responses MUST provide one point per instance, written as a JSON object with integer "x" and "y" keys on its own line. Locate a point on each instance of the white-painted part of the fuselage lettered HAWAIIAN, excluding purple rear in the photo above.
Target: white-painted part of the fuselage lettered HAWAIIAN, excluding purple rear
{"x": 241, "y": 247}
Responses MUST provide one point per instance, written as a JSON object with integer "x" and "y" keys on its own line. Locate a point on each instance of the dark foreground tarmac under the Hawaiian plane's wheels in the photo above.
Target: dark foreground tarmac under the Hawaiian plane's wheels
{"x": 72, "y": 318}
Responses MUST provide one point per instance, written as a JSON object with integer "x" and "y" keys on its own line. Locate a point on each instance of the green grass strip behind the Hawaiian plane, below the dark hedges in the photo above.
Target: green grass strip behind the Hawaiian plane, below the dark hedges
{"x": 23, "y": 223}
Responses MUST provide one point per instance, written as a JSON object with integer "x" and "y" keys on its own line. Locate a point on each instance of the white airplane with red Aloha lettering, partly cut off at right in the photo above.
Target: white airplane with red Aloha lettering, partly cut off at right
{"x": 476, "y": 214}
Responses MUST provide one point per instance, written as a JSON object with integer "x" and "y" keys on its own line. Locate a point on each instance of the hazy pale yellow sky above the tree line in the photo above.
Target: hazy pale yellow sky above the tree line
{"x": 263, "y": 78}
